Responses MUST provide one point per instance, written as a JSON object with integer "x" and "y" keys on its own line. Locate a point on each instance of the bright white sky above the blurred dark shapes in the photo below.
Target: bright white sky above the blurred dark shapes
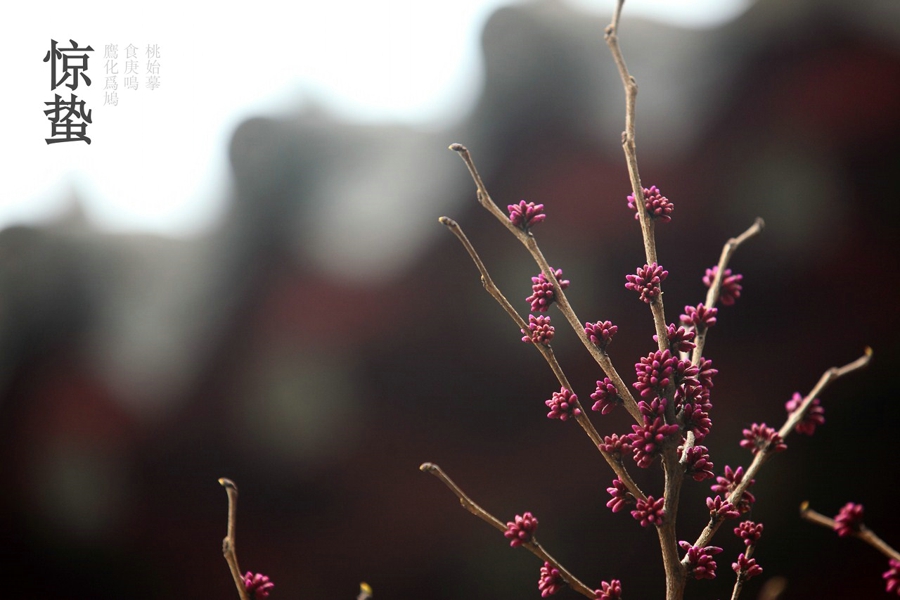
{"x": 157, "y": 161}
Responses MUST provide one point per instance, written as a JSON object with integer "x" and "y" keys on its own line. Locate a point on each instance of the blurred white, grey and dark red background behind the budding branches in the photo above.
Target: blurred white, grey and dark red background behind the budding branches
{"x": 244, "y": 276}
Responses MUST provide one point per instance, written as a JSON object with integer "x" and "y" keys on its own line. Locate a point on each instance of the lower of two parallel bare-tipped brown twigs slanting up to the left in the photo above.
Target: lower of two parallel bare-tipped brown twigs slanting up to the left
{"x": 547, "y": 352}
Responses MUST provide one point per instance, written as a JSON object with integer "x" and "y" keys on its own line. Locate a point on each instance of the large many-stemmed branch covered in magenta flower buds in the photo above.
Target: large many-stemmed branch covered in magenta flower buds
{"x": 675, "y": 381}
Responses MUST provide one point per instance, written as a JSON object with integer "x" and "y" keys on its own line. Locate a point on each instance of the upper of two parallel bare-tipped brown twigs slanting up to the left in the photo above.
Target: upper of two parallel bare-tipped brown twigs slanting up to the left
{"x": 560, "y": 299}
